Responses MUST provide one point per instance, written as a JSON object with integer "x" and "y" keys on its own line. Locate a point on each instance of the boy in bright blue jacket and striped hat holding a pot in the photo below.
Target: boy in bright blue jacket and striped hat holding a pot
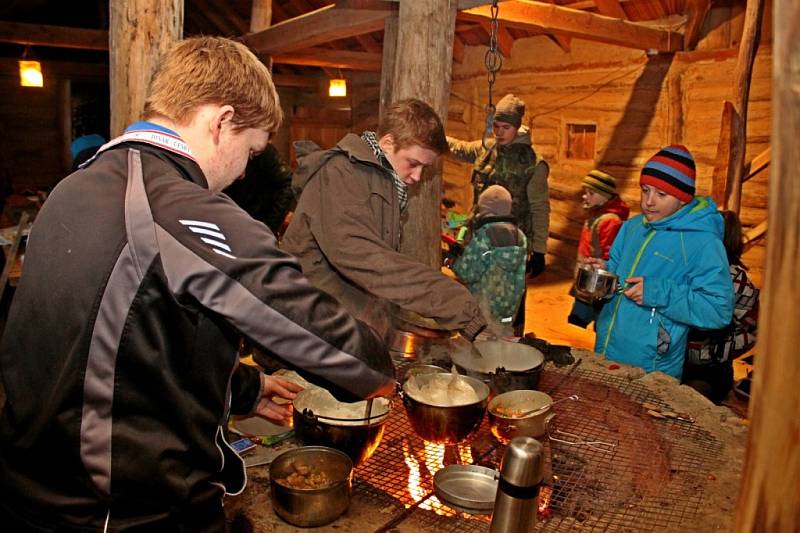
{"x": 674, "y": 267}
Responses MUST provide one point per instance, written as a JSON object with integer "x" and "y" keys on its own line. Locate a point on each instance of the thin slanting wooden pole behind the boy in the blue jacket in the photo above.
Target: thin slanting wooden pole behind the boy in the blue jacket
{"x": 744, "y": 70}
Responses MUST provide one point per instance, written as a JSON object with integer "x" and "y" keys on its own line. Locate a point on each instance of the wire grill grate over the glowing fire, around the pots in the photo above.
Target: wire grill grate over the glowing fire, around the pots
{"x": 635, "y": 473}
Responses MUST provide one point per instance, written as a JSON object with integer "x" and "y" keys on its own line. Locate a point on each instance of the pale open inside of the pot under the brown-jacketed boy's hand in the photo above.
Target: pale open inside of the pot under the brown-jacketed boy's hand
{"x": 512, "y": 356}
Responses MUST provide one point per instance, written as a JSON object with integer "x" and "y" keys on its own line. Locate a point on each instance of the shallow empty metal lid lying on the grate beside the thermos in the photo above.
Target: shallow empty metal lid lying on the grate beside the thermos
{"x": 471, "y": 488}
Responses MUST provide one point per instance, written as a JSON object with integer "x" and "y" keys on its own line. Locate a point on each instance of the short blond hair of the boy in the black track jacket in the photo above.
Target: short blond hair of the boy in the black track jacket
{"x": 213, "y": 70}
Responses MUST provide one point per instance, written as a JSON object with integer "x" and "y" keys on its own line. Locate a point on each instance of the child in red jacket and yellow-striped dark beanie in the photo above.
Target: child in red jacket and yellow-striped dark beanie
{"x": 606, "y": 210}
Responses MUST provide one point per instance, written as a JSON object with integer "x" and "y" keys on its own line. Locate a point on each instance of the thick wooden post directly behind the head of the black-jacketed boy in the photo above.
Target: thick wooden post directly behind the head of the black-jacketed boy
{"x": 140, "y": 31}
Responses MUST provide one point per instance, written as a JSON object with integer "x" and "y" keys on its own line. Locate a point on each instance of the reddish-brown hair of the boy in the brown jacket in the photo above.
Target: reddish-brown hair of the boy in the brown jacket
{"x": 413, "y": 122}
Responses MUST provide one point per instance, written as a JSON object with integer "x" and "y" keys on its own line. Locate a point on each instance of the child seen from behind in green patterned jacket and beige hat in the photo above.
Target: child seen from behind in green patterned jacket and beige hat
{"x": 493, "y": 262}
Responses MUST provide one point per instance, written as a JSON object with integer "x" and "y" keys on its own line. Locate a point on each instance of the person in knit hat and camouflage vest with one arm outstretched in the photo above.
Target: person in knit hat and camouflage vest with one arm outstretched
{"x": 510, "y": 161}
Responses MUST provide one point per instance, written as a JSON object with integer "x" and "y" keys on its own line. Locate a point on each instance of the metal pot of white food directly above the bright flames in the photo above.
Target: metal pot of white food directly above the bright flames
{"x": 445, "y": 425}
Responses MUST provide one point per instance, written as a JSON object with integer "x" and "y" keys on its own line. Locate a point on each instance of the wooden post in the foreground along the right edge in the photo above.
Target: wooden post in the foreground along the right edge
{"x": 768, "y": 498}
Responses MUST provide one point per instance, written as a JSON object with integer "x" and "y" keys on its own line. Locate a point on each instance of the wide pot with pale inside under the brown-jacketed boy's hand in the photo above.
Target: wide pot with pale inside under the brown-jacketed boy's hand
{"x": 502, "y": 365}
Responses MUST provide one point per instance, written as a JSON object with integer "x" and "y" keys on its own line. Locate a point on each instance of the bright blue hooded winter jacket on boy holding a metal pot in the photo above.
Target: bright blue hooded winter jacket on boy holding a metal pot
{"x": 686, "y": 283}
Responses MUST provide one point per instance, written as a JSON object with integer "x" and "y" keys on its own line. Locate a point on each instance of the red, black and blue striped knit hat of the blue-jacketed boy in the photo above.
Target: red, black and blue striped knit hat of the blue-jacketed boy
{"x": 672, "y": 170}
